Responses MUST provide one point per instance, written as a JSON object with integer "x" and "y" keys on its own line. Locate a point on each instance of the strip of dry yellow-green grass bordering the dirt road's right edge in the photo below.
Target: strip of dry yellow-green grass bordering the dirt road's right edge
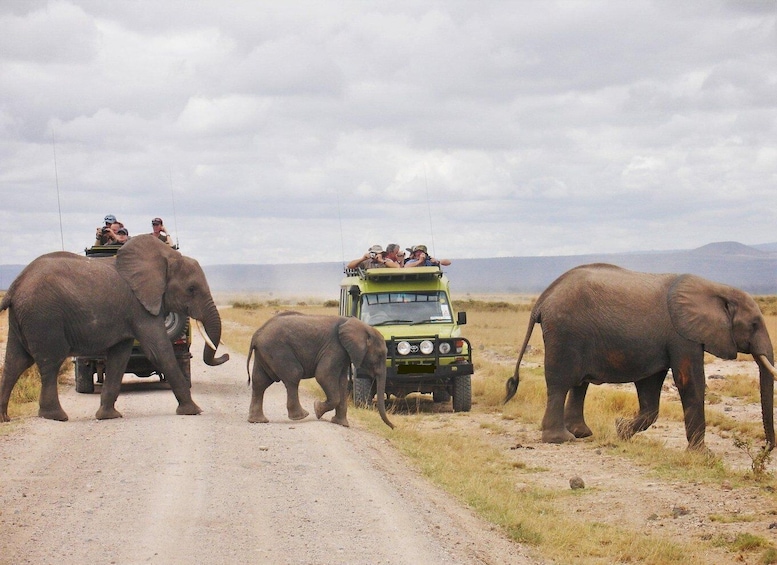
{"x": 487, "y": 480}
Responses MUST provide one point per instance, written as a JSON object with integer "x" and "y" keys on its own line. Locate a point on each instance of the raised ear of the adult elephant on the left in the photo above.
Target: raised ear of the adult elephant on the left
{"x": 143, "y": 263}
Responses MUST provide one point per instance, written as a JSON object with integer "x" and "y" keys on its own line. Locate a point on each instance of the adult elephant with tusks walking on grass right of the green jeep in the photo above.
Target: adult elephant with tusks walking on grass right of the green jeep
{"x": 604, "y": 324}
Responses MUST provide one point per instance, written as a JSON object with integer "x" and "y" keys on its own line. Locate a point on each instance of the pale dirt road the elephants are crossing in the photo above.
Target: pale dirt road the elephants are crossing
{"x": 154, "y": 487}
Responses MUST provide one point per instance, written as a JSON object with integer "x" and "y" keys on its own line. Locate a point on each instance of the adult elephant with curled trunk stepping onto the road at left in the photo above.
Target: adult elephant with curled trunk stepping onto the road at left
{"x": 63, "y": 304}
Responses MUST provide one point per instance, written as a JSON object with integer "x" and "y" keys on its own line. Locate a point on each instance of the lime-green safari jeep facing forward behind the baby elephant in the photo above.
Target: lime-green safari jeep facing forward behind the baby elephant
{"x": 413, "y": 310}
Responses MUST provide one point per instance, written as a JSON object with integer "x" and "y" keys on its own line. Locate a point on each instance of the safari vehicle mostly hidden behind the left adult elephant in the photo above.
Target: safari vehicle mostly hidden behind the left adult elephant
{"x": 178, "y": 329}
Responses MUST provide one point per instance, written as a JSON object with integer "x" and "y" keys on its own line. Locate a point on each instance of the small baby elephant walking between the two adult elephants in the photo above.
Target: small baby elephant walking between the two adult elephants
{"x": 292, "y": 346}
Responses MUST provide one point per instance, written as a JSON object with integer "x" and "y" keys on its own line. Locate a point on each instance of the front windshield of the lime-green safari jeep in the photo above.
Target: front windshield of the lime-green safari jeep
{"x": 389, "y": 308}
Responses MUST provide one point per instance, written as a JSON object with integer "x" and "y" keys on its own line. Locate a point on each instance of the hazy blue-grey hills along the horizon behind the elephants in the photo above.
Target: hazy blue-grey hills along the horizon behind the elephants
{"x": 751, "y": 268}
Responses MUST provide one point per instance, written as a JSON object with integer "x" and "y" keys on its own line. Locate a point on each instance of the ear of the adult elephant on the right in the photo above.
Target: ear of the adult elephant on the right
{"x": 703, "y": 311}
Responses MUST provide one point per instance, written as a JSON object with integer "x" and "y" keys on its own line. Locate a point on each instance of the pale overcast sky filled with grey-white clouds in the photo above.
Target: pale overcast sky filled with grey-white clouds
{"x": 289, "y": 132}
